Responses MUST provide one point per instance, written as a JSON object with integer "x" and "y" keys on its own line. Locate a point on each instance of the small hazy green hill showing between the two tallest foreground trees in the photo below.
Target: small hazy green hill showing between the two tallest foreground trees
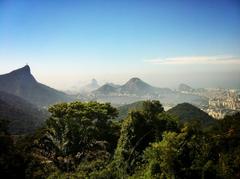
{"x": 125, "y": 109}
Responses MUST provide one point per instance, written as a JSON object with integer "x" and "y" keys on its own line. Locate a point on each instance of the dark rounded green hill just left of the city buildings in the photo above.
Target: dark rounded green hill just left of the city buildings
{"x": 187, "y": 112}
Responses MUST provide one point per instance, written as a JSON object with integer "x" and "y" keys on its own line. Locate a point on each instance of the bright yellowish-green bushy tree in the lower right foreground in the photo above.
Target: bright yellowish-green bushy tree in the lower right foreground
{"x": 181, "y": 155}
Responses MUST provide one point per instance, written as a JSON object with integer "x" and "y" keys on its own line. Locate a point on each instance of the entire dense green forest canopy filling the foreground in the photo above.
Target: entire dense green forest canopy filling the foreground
{"x": 84, "y": 140}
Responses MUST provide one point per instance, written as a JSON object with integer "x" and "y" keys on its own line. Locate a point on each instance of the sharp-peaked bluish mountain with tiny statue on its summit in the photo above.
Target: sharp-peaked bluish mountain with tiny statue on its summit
{"x": 21, "y": 83}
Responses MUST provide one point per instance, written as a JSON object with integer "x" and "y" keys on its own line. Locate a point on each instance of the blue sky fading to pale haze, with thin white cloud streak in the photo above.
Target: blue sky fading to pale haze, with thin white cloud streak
{"x": 164, "y": 42}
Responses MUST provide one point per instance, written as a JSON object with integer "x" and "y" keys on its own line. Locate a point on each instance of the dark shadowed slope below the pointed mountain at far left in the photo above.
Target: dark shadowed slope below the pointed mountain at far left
{"x": 23, "y": 116}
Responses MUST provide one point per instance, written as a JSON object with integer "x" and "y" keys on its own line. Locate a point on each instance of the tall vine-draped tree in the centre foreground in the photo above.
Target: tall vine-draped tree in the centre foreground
{"x": 138, "y": 130}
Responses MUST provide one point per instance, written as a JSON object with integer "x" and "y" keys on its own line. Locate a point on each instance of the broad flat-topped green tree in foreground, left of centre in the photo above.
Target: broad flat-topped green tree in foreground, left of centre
{"x": 74, "y": 129}
